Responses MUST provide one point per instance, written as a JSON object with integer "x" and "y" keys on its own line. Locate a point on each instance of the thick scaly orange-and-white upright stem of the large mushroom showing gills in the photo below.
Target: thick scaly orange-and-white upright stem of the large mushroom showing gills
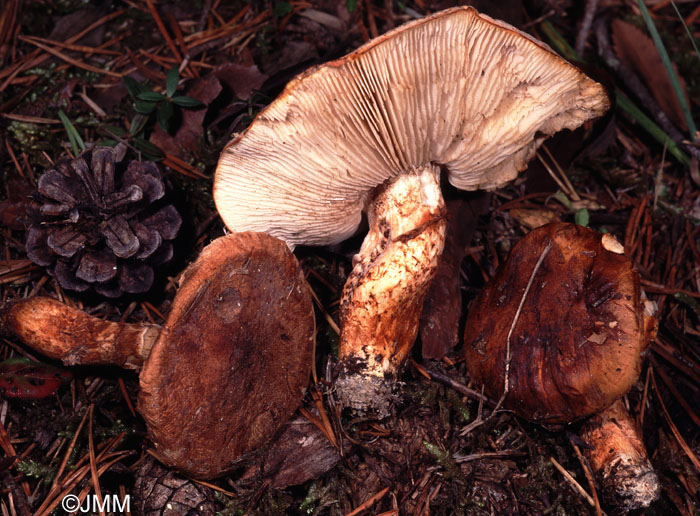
{"x": 383, "y": 297}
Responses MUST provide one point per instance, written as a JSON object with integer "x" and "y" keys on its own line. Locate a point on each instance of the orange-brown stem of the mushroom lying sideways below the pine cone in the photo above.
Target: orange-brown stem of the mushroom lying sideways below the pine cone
{"x": 74, "y": 337}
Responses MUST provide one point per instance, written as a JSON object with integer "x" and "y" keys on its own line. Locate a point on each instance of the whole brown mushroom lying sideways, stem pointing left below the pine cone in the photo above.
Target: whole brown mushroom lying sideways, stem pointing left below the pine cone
{"x": 227, "y": 369}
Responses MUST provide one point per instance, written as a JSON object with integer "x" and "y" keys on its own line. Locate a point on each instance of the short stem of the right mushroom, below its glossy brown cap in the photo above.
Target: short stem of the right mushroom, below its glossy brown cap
{"x": 619, "y": 459}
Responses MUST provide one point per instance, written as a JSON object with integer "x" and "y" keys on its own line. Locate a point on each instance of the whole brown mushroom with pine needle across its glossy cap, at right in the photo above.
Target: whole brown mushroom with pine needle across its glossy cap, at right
{"x": 560, "y": 331}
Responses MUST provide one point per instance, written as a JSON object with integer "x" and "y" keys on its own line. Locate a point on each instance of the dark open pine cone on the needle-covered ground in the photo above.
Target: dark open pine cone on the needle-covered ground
{"x": 101, "y": 226}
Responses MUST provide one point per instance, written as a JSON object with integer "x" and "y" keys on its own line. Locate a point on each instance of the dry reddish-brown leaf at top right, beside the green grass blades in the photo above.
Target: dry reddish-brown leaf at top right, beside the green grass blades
{"x": 638, "y": 51}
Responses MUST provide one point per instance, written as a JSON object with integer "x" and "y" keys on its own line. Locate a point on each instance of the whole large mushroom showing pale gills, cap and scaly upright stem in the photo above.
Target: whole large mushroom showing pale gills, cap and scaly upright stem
{"x": 455, "y": 94}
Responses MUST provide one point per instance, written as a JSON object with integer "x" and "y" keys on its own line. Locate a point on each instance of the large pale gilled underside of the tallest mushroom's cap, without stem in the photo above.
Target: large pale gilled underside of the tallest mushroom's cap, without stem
{"x": 456, "y": 89}
